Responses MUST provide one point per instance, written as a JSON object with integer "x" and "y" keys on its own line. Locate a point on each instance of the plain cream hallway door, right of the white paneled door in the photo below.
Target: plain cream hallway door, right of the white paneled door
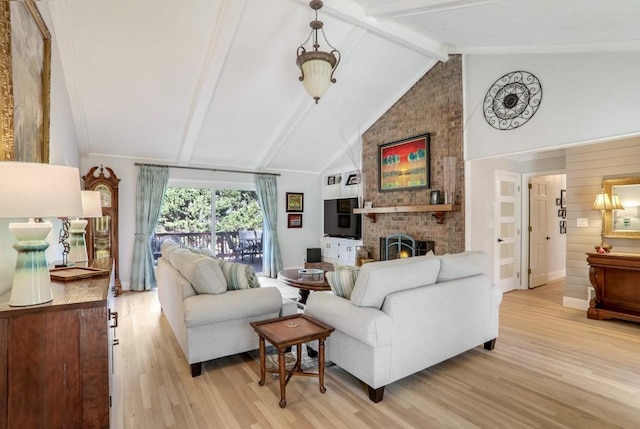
{"x": 538, "y": 231}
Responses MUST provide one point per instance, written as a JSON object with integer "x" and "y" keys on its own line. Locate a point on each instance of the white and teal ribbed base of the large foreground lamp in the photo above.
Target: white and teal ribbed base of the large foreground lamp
{"x": 31, "y": 280}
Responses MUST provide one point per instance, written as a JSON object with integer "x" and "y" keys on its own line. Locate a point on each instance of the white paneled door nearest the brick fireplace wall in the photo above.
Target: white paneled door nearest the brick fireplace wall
{"x": 507, "y": 209}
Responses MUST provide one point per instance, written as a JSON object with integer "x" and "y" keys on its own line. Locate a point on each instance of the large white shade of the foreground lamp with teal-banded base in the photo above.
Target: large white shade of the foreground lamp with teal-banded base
{"x": 30, "y": 189}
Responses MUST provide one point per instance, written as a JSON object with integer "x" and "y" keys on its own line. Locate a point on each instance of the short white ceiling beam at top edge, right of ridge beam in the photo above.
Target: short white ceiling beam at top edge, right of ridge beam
{"x": 403, "y": 8}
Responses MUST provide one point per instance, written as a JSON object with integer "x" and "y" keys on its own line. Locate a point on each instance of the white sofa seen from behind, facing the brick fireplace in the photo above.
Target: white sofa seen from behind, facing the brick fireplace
{"x": 408, "y": 314}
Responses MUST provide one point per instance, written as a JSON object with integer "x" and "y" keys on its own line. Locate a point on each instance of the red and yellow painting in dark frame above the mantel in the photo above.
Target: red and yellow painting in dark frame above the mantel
{"x": 404, "y": 164}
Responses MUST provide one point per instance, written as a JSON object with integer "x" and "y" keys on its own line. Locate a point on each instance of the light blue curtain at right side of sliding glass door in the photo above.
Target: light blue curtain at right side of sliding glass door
{"x": 267, "y": 190}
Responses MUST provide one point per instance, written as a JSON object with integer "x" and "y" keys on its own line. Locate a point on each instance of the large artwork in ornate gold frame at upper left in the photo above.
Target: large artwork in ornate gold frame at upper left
{"x": 25, "y": 83}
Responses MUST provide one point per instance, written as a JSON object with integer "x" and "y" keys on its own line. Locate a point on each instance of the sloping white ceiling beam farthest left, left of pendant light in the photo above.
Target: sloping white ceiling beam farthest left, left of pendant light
{"x": 223, "y": 34}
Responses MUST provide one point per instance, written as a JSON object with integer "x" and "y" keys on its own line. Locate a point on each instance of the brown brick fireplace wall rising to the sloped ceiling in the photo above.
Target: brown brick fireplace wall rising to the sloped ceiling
{"x": 433, "y": 105}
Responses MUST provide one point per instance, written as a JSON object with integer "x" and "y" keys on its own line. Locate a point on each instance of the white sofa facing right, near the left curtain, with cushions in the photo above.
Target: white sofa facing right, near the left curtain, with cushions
{"x": 215, "y": 322}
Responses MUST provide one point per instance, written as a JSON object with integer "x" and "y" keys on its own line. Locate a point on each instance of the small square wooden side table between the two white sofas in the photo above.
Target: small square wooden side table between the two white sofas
{"x": 284, "y": 332}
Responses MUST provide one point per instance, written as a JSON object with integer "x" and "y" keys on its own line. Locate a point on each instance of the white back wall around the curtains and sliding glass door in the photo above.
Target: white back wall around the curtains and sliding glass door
{"x": 293, "y": 242}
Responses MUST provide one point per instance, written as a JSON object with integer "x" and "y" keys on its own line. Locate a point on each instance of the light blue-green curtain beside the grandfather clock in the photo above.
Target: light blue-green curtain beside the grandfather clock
{"x": 151, "y": 187}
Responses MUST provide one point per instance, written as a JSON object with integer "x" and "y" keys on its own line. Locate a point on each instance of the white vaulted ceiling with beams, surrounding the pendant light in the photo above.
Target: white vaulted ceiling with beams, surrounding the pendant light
{"x": 214, "y": 82}
